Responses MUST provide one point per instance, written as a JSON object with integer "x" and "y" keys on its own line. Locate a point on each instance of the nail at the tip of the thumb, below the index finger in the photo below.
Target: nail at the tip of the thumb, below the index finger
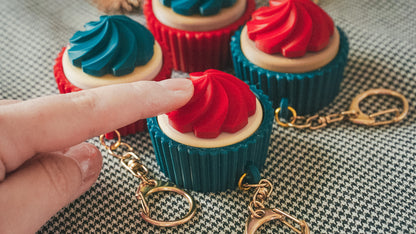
{"x": 89, "y": 160}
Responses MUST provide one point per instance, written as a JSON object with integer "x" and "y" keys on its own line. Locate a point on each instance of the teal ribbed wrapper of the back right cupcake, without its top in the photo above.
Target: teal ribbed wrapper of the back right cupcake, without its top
{"x": 307, "y": 92}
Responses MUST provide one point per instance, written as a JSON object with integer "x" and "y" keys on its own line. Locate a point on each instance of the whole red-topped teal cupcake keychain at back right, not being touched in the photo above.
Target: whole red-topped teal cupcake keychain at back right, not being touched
{"x": 292, "y": 51}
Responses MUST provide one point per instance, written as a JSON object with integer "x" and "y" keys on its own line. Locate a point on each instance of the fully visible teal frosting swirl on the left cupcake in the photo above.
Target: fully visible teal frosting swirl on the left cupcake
{"x": 113, "y": 45}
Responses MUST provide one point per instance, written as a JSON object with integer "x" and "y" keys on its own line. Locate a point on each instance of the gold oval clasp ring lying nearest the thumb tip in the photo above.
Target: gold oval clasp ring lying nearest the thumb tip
{"x": 162, "y": 186}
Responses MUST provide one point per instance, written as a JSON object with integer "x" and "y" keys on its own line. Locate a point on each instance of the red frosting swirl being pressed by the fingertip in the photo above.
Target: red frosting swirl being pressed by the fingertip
{"x": 221, "y": 103}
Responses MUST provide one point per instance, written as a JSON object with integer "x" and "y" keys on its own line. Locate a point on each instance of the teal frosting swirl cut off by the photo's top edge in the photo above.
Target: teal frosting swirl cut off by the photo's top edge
{"x": 199, "y": 7}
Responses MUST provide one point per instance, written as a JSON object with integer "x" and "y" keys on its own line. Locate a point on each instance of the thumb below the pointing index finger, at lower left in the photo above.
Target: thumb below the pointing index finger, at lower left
{"x": 45, "y": 184}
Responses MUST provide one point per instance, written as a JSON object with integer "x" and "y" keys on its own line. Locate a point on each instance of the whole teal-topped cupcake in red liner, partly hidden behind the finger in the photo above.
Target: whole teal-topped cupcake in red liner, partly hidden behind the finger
{"x": 115, "y": 49}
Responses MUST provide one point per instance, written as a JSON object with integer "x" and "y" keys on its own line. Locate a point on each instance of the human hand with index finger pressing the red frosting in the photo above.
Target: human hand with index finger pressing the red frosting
{"x": 43, "y": 165}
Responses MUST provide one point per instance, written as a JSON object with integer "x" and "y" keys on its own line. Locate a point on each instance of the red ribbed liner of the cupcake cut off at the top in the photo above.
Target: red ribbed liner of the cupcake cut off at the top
{"x": 196, "y": 51}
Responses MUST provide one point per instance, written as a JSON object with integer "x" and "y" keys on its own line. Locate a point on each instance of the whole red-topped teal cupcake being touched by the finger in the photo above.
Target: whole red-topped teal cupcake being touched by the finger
{"x": 207, "y": 144}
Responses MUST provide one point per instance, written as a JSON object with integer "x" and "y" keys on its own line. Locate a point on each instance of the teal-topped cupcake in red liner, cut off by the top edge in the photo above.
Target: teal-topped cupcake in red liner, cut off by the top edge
{"x": 197, "y": 32}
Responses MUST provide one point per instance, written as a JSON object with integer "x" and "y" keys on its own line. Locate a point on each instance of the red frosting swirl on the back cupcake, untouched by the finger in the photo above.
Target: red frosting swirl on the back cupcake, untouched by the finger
{"x": 290, "y": 27}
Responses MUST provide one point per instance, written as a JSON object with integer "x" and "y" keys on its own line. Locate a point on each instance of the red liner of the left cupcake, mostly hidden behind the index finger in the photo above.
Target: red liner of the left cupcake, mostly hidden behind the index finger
{"x": 65, "y": 86}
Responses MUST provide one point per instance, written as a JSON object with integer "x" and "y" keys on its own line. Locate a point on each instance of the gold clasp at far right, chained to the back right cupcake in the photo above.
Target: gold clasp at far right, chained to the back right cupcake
{"x": 370, "y": 120}
